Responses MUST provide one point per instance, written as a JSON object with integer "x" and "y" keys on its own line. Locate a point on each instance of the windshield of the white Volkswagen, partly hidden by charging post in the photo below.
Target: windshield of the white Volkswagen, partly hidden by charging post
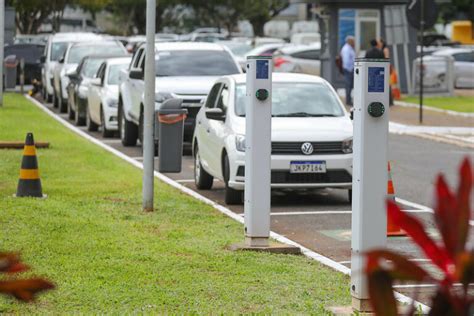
{"x": 293, "y": 99}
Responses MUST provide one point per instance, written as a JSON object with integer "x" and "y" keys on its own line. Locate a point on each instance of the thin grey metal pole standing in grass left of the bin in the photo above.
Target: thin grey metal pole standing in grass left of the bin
{"x": 149, "y": 108}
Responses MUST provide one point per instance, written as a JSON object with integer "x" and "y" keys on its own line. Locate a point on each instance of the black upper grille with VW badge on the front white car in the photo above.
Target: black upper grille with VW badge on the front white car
{"x": 294, "y": 148}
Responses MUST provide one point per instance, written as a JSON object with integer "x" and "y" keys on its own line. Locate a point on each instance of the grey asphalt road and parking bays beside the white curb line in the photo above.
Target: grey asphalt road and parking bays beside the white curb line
{"x": 320, "y": 219}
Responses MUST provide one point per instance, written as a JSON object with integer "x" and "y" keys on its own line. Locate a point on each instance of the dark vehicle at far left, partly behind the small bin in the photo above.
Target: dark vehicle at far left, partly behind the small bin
{"x": 31, "y": 53}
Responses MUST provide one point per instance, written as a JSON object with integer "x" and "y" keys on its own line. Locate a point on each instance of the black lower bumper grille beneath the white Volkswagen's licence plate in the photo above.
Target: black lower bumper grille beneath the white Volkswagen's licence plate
{"x": 331, "y": 176}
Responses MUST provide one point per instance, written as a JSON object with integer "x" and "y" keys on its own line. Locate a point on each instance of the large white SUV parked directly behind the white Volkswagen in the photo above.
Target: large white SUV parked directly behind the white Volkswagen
{"x": 183, "y": 70}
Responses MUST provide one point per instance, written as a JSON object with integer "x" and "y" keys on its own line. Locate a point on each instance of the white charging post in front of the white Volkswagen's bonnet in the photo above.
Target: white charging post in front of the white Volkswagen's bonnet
{"x": 258, "y": 151}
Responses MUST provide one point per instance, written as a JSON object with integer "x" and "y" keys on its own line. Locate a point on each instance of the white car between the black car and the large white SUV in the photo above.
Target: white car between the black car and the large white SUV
{"x": 102, "y": 95}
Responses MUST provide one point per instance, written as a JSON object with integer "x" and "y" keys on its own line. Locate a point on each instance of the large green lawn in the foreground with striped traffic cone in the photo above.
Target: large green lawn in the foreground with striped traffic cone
{"x": 105, "y": 255}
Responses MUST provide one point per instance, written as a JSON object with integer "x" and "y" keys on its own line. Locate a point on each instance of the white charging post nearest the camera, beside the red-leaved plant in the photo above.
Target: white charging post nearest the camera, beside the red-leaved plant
{"x": 369, "y": 177}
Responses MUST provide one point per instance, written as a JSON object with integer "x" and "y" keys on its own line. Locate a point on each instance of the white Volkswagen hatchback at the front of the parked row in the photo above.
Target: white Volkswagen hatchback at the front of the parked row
{"x": 311, "y": 136}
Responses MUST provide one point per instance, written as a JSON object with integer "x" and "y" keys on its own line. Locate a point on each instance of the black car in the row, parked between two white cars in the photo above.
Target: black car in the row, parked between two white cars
{"x": 79, "y": 85}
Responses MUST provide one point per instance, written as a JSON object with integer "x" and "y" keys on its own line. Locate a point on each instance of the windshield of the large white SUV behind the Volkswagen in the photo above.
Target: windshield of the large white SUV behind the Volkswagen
{"x": 194, "y": 63}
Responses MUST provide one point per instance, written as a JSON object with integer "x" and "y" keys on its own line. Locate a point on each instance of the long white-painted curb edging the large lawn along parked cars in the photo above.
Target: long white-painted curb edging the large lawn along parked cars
{"x": 305, "y": 251}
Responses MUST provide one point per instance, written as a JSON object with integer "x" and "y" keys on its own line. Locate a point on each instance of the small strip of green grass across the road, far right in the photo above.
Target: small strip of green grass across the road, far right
{"x": 458, "y": 104}
